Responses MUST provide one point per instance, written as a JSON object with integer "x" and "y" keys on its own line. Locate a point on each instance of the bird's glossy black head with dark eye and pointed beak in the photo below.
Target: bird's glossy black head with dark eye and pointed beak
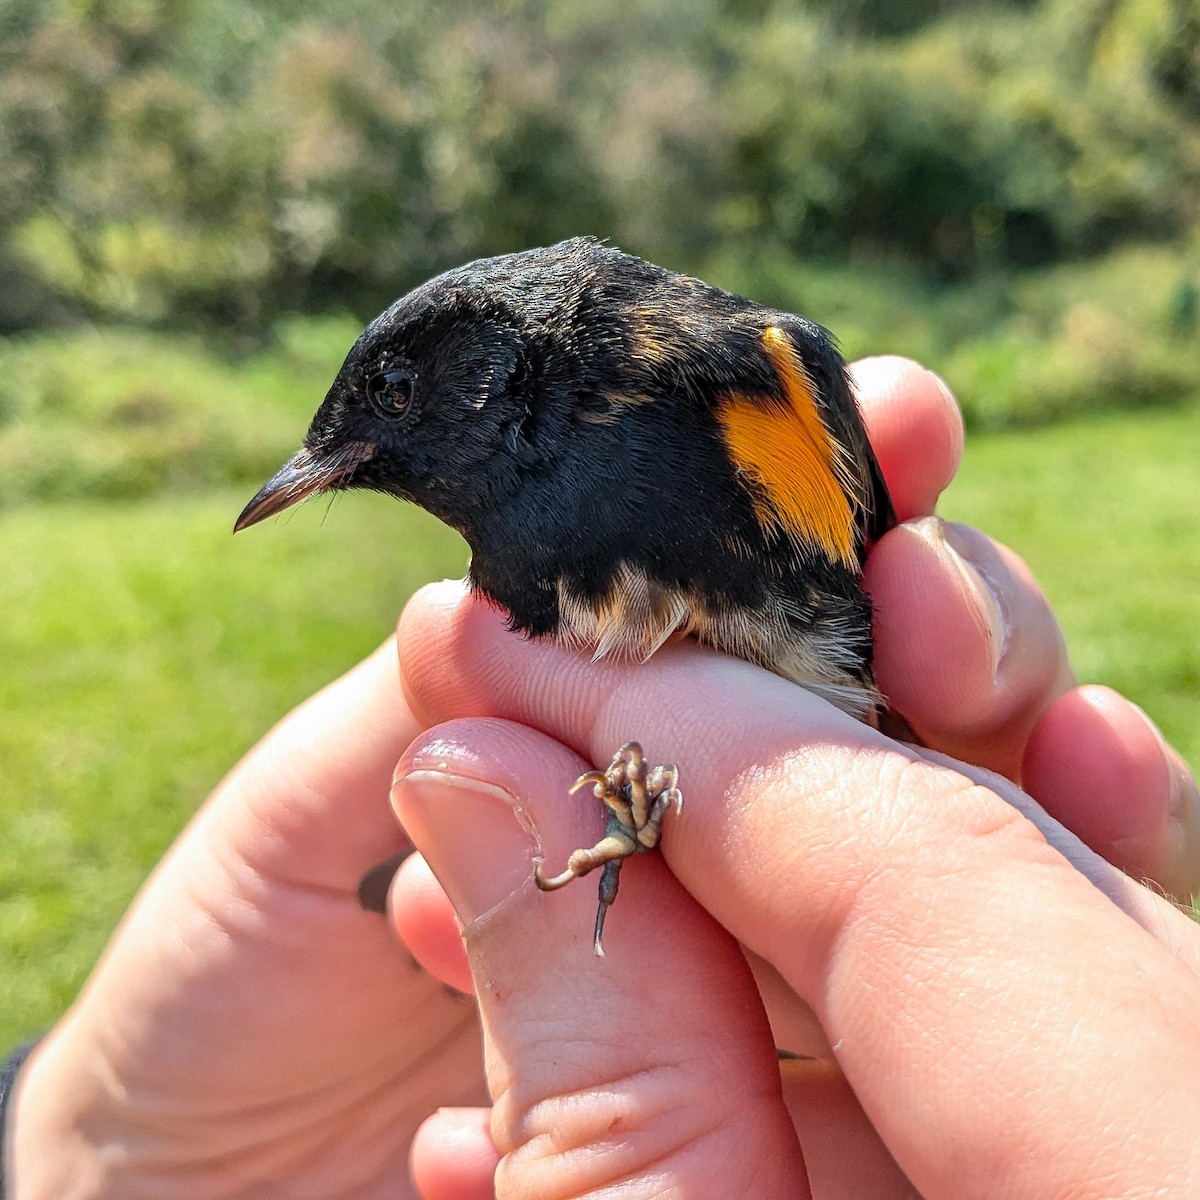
{"x": 434, "y": 400}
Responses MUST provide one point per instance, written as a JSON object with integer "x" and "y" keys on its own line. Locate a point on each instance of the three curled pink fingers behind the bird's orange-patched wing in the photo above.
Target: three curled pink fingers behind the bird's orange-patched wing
{"x": 970, "y": 652}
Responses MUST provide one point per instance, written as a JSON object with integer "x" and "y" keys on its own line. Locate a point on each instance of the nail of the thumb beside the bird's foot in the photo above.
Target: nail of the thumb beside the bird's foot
{"x": 475, "y": 836}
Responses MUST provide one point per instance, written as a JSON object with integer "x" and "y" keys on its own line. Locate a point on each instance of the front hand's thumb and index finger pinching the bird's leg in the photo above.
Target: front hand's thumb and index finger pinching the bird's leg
{"x": 1010, "y": 1016}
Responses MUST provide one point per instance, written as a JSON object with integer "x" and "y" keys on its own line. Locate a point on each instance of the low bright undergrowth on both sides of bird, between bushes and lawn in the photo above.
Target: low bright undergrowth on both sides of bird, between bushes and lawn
{"x": 122, "y": 413}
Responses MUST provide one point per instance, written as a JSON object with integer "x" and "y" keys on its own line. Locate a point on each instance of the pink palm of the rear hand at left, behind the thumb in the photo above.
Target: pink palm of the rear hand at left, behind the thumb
{"x": 251, "y": 1033}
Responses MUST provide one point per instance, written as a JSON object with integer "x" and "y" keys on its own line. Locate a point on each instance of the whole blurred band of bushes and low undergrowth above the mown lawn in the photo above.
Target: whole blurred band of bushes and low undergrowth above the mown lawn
{"x": 1006, "y": 190}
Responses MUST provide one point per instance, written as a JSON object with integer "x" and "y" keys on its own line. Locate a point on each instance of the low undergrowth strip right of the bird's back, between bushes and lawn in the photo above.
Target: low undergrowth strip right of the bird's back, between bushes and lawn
{"x": 1022, "y": 349}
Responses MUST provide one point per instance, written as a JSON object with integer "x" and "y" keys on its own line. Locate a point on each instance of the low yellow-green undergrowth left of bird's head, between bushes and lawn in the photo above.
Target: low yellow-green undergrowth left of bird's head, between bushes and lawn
{"x": 122, "y": 413}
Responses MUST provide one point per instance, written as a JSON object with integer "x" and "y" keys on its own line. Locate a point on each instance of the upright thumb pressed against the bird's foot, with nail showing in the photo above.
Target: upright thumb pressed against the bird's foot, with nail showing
{"x": 653, "y": 1067}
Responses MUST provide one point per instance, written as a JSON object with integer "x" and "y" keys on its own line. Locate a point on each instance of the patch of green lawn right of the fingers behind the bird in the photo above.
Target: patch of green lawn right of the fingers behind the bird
{"x": 1105, "y": 512}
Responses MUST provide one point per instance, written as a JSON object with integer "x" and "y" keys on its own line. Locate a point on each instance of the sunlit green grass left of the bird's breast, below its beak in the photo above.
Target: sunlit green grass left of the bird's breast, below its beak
{"x": 145, "y": 651}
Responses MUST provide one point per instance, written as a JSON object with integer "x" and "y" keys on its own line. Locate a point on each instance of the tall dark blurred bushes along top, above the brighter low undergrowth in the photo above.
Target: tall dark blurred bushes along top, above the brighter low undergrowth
{"x": 223, "y": 163}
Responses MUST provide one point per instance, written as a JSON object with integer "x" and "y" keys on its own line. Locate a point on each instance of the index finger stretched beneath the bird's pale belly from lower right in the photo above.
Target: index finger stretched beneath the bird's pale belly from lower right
{"x": 932, "y": 926}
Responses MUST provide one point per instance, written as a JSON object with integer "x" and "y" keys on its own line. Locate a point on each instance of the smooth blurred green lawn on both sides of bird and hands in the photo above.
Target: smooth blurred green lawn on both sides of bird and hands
{"x": 145, "y": 649}
